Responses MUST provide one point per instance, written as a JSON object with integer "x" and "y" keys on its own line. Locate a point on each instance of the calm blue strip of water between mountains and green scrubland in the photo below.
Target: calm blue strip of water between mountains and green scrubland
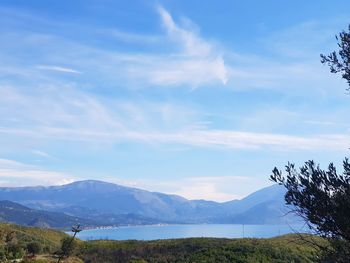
{"x": 182, "y": 231}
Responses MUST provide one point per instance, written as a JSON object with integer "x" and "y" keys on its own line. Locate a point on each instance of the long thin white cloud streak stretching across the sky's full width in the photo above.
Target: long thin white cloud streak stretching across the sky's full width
{"x": 229, "y": 139}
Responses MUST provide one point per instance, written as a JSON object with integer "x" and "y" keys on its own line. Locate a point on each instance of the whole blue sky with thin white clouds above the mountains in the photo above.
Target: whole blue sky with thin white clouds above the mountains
{"x": 196, "y": 98}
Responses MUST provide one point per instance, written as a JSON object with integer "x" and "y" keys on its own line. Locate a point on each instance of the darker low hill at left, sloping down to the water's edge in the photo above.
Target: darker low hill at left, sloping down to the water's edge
{"x": 15, "y": 213}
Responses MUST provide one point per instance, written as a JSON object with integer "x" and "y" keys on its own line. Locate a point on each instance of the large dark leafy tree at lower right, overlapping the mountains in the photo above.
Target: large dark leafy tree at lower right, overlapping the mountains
{"x": 320, "y": 197}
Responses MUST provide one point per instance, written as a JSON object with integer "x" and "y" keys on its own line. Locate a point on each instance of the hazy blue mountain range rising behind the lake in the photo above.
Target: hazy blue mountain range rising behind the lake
{"x": 108, "y": 203}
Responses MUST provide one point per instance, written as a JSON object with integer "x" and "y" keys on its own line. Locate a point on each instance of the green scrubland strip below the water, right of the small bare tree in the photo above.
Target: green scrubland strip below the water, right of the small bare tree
{"x": 283, "y": 249}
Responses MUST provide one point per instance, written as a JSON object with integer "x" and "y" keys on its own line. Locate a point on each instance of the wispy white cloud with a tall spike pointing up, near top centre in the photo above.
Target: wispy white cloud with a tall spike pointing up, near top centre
{"x": 191, "y": 60}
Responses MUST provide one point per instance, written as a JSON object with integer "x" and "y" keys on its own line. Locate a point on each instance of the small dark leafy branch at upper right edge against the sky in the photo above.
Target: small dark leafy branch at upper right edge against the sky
{"x": 339, "y": 61}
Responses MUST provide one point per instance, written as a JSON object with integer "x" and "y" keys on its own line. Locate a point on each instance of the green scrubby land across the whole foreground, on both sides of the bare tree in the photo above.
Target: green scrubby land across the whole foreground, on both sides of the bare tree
{"x": 16, "y": 240}
